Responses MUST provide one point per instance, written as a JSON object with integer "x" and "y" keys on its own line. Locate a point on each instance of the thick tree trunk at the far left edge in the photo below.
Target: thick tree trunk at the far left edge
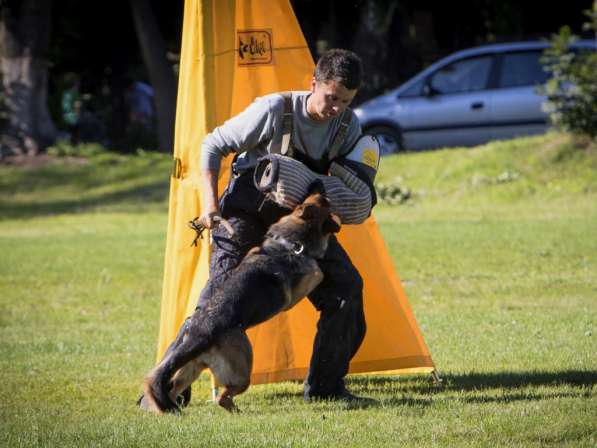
{"x": 24, "y": 40}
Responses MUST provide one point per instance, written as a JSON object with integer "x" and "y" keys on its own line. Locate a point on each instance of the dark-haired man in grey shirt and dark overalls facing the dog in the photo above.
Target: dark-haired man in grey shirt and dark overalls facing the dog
{"x": 317, "y": 117}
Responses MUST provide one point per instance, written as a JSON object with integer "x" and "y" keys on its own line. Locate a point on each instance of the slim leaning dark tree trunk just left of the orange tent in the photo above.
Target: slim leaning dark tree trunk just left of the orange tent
{"x": 161, "y": 75}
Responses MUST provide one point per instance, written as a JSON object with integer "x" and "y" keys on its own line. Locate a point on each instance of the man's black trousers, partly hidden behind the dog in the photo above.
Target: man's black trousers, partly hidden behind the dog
{"x": 338, "y": 298}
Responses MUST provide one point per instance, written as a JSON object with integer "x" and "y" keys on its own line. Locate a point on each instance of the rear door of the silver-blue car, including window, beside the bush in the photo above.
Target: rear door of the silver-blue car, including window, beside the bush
{"x": 516, "y": 104}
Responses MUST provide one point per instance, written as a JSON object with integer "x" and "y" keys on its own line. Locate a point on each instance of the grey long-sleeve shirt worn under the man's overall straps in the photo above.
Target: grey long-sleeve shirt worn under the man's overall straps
{"x": 257, "y": 131}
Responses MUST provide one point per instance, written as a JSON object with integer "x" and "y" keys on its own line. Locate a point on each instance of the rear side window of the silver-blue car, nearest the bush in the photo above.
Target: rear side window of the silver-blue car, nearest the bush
{"x": 522, "y": 69}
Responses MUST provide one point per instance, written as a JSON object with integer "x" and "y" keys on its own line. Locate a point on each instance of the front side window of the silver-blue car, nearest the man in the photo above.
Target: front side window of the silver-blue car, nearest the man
{"x": 462, "y": 76}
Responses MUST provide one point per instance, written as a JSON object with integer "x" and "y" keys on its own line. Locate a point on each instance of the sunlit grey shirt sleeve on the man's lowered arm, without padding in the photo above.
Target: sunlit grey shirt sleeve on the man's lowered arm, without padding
{"x": 240, "y": 133}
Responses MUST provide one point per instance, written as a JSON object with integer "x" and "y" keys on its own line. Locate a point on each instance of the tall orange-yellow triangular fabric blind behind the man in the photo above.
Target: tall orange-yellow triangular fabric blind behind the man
{"x": 218, "y": 79}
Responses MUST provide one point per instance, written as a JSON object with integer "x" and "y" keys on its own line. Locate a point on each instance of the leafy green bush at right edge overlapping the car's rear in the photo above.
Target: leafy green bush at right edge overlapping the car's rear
{"x": 572, "y": 91}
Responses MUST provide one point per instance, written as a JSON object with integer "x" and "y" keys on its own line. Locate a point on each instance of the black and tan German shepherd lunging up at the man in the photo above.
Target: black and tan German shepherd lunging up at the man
{"x": 271, "y": 278}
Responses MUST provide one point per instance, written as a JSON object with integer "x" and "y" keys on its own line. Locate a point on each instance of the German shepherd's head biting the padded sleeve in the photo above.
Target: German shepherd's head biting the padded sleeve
{"x": 310, "y": 224}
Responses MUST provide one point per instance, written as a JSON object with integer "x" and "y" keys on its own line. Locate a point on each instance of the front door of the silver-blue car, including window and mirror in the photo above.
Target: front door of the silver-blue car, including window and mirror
{"x": 454, "y": 108}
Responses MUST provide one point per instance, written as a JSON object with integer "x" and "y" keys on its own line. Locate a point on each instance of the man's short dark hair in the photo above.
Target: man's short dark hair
{"x": 343, "y": 66}
